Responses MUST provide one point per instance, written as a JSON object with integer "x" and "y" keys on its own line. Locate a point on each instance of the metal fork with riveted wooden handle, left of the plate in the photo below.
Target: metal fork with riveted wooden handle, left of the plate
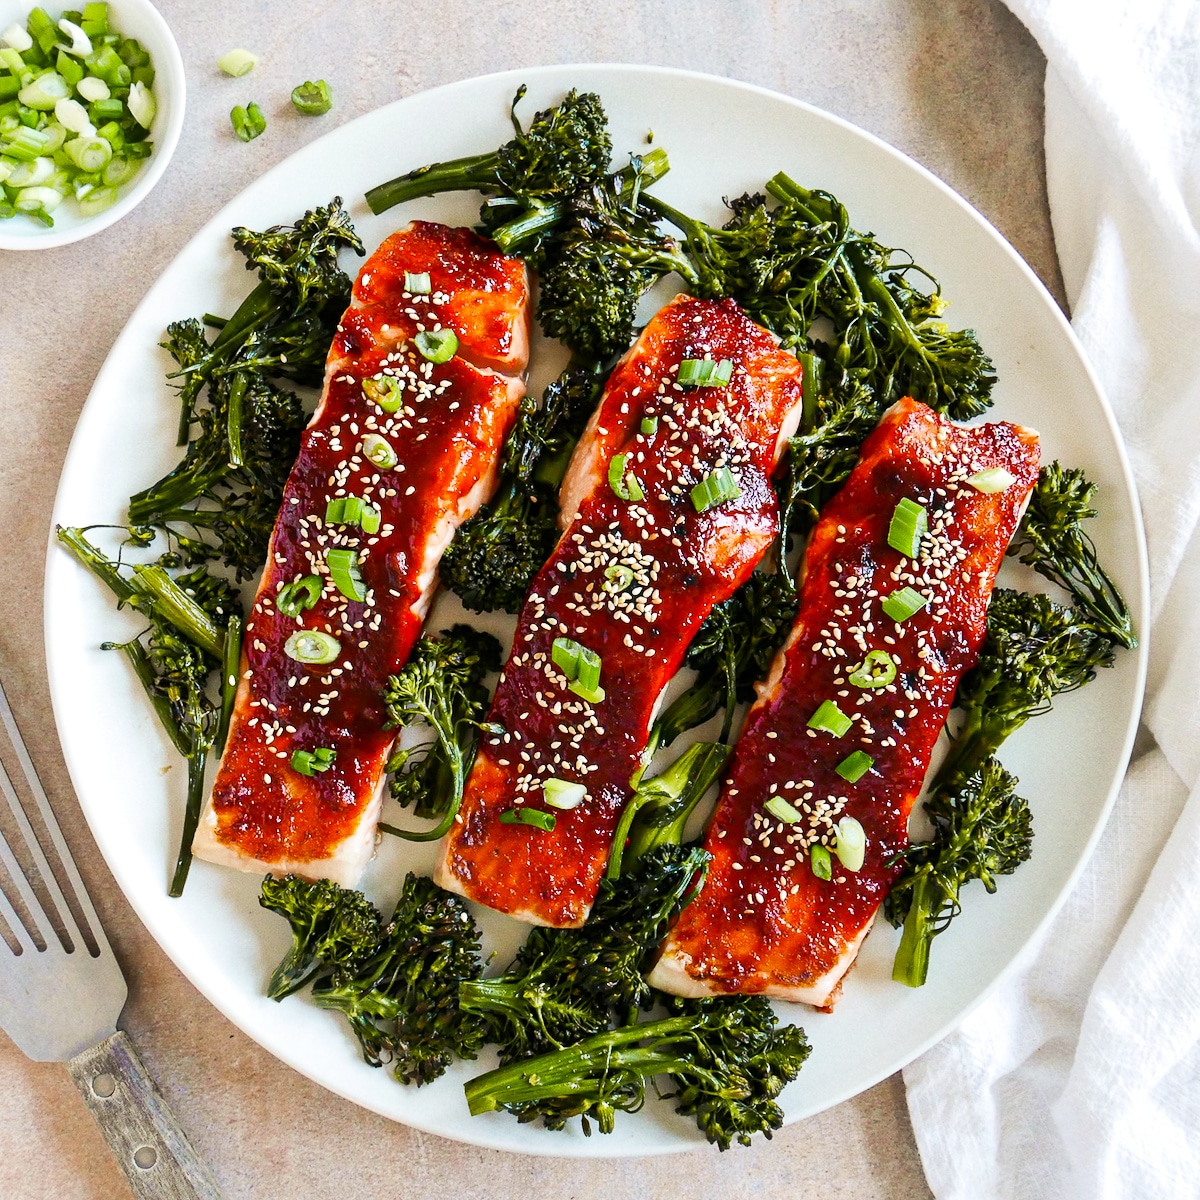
{"x": 62, "y": 992}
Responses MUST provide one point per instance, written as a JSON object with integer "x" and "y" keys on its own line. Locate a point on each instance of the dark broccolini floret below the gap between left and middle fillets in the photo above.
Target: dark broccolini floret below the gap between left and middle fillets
{"x": 403, "y": 1001}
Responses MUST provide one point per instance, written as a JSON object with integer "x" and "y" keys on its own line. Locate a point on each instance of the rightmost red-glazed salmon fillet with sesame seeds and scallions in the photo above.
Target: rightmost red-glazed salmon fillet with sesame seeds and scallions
{"x": 765, "y": 922}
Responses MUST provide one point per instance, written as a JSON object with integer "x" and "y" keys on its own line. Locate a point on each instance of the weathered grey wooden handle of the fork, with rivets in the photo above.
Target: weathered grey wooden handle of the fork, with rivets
{"x": 141, "y": 1131}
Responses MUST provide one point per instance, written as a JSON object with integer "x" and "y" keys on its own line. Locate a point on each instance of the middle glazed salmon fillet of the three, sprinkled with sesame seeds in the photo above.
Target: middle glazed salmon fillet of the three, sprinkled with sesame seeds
{"x": 643, "y": 561}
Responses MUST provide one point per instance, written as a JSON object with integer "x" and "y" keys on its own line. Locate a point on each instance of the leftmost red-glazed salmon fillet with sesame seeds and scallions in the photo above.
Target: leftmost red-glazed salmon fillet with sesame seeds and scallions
{"x": 417, "y": 442}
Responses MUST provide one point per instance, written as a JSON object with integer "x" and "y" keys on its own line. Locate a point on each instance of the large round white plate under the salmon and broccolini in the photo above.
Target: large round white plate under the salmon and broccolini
{"x": 723, "y": 139}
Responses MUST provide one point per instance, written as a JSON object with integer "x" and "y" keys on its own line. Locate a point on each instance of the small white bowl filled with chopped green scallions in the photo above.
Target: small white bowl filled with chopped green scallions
{"x": 92, "y": 105}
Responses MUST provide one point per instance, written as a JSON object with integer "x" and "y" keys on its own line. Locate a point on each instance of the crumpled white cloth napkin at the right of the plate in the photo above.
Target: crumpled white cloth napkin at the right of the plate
{"x": 1081, "y": 1077}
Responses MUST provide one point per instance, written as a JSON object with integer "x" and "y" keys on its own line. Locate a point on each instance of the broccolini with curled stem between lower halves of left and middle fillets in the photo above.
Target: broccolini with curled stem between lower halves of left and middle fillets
{"x": 442, "y": 687}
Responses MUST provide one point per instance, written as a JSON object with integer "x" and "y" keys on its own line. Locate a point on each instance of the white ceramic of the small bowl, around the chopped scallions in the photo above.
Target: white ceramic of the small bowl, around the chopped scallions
{"x": 133, "y": 19}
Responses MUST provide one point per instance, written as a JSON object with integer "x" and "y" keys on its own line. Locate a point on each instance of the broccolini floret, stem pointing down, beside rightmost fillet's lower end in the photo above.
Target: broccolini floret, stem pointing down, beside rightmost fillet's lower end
{"x": 981, "y": 830}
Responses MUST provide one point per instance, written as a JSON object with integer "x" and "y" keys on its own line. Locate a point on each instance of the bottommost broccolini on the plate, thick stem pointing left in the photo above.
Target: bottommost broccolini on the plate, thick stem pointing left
{"x": 725, "y": 1060}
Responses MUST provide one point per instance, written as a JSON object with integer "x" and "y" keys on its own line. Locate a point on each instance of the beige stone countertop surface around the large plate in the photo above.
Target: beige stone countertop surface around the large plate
{"x": 955, "y": 83}
